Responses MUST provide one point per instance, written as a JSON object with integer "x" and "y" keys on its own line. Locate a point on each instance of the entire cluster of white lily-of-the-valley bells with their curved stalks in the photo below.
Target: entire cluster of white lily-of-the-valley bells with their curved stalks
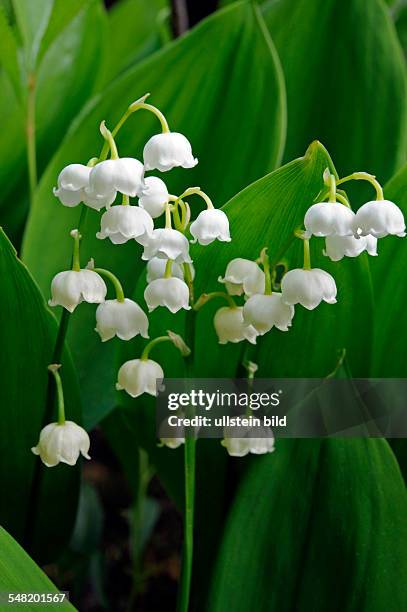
{"x": 170, "y": 271}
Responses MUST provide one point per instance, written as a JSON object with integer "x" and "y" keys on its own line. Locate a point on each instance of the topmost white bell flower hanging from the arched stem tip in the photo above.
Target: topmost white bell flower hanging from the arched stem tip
{"x": 168, "y": 150}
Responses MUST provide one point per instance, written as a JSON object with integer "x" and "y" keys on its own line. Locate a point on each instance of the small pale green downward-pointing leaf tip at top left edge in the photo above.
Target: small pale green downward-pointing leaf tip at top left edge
{"x": 32, "y": 20}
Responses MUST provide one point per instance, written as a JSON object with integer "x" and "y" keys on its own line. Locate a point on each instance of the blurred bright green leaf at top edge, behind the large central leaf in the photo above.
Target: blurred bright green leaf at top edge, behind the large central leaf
{"x": 135, "y": 31}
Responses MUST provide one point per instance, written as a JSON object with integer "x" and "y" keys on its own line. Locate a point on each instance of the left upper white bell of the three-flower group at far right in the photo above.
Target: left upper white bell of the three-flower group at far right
{"x": 329, "y": 219}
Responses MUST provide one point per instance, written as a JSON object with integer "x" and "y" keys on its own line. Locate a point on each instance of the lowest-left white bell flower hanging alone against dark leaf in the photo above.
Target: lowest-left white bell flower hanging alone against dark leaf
{"x": 62, "y": 443}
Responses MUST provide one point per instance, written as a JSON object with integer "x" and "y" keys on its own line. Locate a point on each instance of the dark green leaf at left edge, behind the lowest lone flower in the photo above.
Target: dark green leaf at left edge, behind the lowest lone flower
{"x": 35, "y": 499}
